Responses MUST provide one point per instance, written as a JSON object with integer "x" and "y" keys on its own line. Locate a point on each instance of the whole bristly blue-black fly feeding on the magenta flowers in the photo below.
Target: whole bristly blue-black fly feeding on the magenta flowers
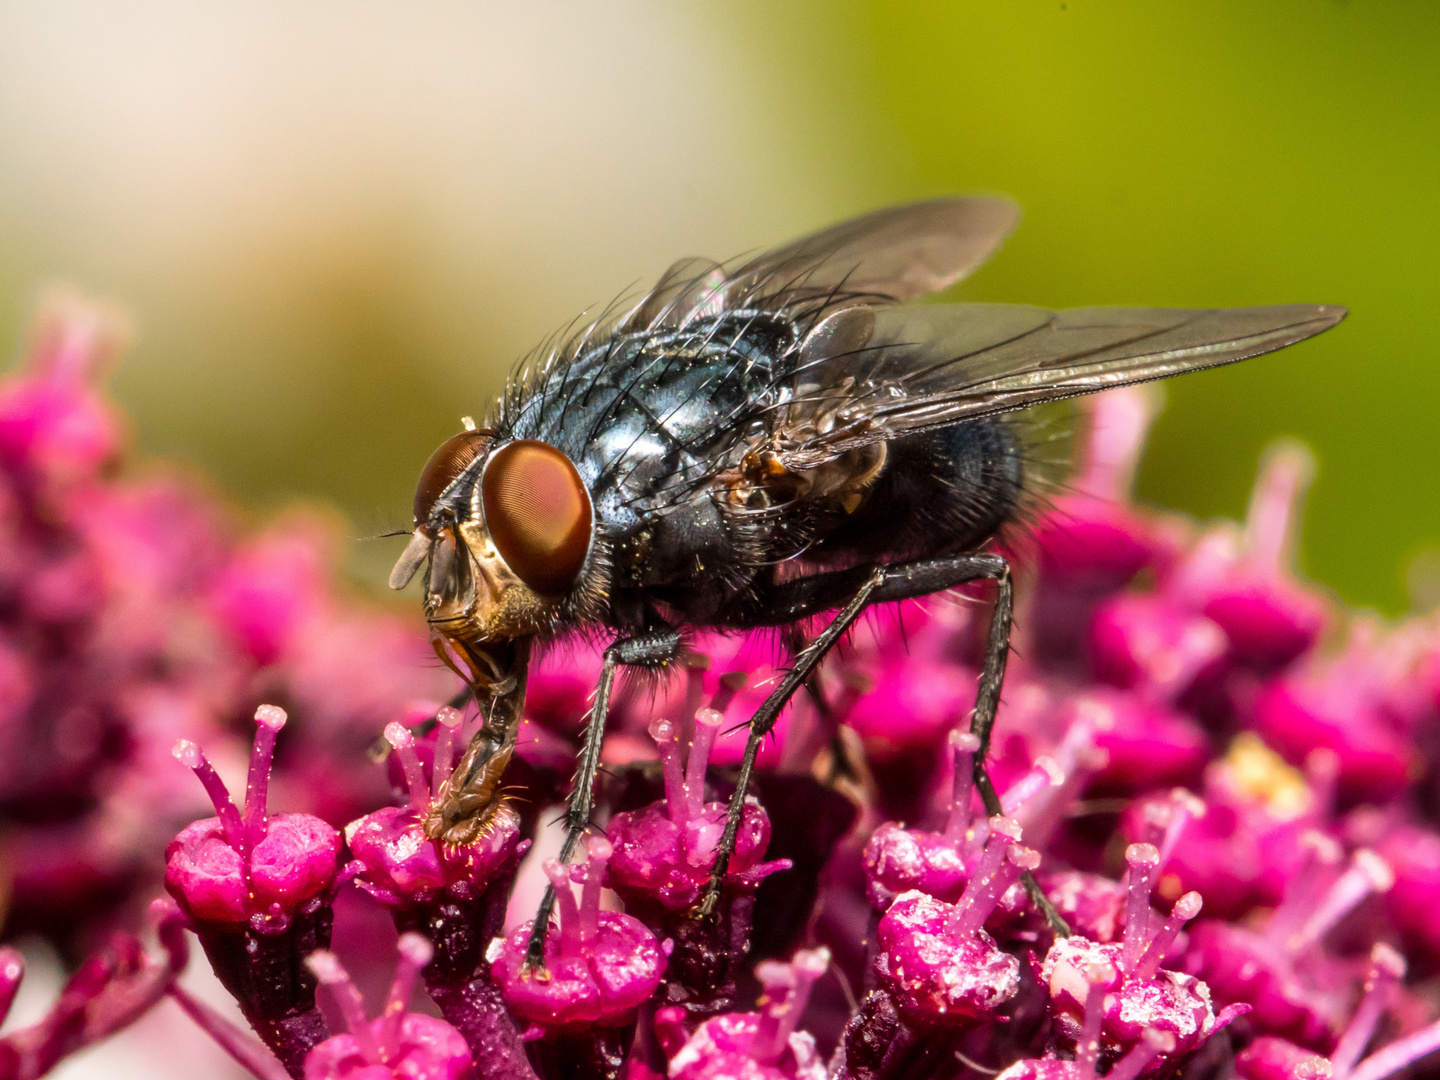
{"x": 754, "y": 446}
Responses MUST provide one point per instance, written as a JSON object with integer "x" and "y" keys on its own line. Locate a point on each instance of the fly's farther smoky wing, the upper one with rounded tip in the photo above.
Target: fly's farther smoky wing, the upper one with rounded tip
{"x": 886, "y": 257}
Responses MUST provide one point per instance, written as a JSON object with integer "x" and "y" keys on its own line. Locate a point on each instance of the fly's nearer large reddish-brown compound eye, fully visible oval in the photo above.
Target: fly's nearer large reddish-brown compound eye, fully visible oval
{"x": 538, "y": 513}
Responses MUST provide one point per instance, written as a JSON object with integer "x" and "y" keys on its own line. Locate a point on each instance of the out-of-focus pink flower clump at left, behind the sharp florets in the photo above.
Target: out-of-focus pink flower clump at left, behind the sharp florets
{"x": 133, "y": 613}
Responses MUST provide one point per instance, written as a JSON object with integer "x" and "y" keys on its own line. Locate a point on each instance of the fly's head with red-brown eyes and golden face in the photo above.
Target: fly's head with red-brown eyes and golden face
{"x": 506, "y": 534}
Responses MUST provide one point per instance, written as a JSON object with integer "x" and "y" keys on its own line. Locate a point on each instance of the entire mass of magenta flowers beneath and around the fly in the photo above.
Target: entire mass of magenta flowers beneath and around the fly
{"x": 1222, "y": 783}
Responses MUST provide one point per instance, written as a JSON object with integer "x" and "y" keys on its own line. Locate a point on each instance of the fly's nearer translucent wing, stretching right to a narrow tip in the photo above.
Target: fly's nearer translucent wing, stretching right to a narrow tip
{"x": 870, "y": 375}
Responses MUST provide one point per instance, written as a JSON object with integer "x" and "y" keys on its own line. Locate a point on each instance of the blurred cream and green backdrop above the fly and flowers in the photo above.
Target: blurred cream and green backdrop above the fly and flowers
{"x": 338, "y": 222}
